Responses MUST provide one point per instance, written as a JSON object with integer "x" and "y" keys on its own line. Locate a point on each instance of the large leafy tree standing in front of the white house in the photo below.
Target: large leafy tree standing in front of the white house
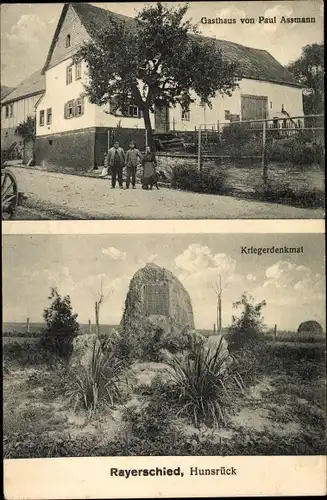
{"x": 155, "y": 61}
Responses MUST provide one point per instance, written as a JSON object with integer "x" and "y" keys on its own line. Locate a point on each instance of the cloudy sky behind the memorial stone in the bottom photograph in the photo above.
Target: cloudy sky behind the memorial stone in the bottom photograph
{"x": 292, "y": 285}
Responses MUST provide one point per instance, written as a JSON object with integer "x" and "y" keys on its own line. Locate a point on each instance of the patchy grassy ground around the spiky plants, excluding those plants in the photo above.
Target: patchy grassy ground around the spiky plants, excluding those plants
{"x": 280, "y": 411}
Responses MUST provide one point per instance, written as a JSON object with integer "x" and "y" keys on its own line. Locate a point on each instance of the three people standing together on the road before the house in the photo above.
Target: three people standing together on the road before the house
{"x": 117, "y": 159}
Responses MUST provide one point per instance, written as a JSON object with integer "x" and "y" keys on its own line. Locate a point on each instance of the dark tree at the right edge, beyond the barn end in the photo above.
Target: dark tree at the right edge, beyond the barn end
{"x": 309, "y": 71}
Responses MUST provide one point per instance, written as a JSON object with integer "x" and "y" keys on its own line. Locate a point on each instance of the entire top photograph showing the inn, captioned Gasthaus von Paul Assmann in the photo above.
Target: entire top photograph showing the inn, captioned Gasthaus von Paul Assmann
{"x": 148, "y": 111}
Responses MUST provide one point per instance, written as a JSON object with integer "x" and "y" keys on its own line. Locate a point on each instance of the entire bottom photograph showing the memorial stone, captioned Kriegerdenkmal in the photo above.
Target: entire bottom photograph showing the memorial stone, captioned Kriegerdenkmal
{"x": 163, "y": 345}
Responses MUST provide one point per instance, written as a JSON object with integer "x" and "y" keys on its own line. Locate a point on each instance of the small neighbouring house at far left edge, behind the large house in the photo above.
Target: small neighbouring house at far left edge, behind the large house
{"x": 16, "y": 107}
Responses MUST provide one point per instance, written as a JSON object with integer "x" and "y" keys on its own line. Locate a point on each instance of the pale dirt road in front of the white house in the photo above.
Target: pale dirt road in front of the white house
{"x": 63, "y": 196}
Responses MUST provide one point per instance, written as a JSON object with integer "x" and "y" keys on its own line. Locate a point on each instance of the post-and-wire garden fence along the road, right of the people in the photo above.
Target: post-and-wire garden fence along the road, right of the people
{"x": 261, "y": 139}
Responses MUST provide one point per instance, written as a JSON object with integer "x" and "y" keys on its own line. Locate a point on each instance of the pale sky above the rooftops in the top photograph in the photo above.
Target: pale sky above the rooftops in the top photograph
{"x": 27, "y": 29}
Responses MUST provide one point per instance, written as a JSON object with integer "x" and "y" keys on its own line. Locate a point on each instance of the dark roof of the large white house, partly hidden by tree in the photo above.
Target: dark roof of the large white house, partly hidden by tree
{"x": 254, "y": 63}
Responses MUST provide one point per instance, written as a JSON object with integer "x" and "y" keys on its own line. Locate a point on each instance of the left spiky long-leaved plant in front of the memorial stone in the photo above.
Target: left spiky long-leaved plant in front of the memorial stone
{"x": 97, "y": 383}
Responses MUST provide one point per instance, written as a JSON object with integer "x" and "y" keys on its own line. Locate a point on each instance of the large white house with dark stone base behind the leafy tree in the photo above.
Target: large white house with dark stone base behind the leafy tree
{"x": 73, "y": 133}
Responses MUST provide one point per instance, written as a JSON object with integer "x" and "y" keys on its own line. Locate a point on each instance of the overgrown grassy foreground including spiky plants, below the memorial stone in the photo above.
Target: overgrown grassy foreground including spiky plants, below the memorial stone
{"x": 281, "y": 410}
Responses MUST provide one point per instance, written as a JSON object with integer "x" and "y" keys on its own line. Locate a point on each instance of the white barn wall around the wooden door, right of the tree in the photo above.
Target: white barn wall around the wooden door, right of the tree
{"x": 278, "y": 96}
